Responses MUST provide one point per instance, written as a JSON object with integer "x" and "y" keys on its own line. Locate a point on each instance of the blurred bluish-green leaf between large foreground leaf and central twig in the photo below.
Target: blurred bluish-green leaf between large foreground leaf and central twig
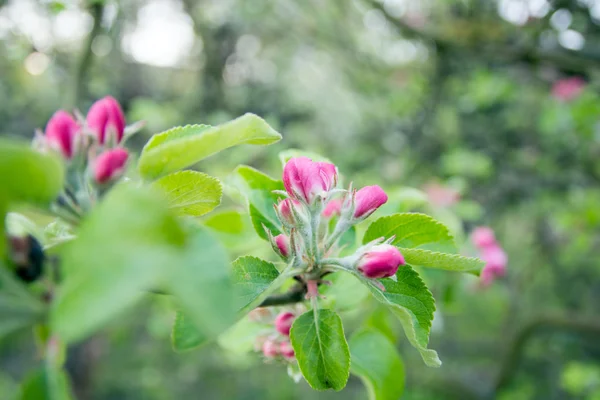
{"x": 202, "y": 283}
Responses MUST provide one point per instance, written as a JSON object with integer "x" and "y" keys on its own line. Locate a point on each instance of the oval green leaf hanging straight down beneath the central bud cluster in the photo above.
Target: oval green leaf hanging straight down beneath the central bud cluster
{"x": 321, "y": 349}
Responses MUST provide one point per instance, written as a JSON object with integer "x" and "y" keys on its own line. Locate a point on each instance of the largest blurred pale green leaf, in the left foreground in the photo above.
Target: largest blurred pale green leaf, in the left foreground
{"x": 125, "y": 246}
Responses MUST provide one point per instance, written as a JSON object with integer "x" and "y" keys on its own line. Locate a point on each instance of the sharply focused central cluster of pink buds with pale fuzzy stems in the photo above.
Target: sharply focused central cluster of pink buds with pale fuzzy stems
{"x": 315, "y": 215}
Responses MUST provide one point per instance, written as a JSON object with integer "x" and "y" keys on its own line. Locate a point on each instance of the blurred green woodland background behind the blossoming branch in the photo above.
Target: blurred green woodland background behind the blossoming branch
{"x": 493, "y": 101}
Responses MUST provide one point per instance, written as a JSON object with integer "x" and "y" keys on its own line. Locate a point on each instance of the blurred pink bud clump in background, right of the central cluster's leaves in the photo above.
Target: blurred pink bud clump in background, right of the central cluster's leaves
{"x": 494, "y": 256}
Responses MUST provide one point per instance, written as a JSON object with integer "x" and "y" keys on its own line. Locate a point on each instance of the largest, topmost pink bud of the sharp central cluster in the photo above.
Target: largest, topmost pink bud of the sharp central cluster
{"x": 305, "y": 180}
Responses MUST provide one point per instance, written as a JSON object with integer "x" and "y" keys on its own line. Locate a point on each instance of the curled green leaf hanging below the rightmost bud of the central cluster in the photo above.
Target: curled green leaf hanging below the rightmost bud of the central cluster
{"x": 412, "y": 302}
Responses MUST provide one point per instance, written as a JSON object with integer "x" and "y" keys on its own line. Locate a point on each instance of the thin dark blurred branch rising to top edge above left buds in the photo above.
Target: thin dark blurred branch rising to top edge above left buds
{"x": 78, "y": 84}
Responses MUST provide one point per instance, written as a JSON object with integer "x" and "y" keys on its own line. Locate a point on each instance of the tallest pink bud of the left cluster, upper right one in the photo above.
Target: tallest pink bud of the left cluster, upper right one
{"x": 105, "y": 118}
